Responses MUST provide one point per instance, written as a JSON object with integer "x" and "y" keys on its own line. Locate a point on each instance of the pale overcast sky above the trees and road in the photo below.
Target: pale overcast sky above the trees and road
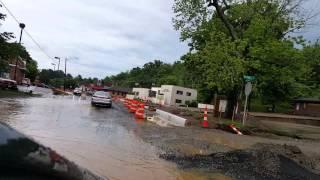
{"x": 107, "y": 36}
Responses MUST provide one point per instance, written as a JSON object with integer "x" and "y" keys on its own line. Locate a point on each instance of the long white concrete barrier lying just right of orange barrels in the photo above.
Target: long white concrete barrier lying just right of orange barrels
{"x": 170, "y": 119}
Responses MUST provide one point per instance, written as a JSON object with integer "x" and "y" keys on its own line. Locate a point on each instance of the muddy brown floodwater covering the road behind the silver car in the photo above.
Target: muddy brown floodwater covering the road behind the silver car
{"x": 105, "y": 141}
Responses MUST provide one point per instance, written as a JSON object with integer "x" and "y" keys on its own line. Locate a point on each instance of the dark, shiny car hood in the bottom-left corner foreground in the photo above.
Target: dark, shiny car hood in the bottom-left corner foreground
{"x": 24, "y": 158}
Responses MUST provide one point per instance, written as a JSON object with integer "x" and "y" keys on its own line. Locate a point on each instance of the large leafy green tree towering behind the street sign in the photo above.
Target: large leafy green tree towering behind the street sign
{"x": 238, "y": 38}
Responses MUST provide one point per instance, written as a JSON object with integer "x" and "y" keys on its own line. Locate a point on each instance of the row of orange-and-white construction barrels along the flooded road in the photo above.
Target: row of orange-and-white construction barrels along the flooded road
{"x": 136, "y": 107}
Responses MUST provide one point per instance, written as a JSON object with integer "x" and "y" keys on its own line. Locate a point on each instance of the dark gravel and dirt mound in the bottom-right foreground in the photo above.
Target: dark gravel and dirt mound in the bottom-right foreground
{"x": 263, "y": 162}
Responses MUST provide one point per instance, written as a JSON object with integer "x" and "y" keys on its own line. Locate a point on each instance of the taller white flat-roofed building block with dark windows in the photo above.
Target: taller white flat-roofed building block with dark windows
{"x": 176, "y": 95}
